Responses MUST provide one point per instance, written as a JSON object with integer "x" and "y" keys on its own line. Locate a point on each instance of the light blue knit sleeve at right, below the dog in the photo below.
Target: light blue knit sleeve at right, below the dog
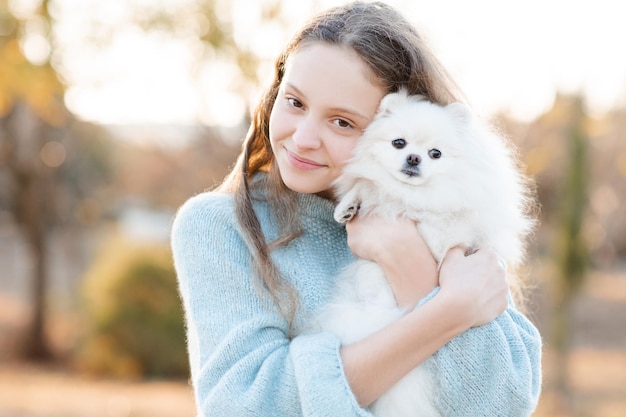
{"x": 491, "y": 370}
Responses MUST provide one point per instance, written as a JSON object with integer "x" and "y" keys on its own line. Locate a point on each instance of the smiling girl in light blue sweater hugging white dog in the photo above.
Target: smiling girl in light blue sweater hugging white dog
{"x": 257, "y": 257}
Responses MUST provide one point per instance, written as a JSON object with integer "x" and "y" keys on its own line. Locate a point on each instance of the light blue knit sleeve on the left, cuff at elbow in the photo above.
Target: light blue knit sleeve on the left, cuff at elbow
{"x": 242, "y": 362}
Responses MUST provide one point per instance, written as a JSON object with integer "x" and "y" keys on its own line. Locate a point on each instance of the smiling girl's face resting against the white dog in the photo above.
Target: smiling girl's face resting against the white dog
{"x": 326, "y": 98}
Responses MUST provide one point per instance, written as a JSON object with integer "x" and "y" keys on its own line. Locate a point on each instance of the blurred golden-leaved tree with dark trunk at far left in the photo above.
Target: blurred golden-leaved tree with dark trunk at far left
{"x": 41, "y": 161}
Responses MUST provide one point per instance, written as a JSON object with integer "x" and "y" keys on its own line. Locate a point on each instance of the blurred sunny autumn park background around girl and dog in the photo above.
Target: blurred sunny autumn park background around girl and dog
{"x": 113, "y": 113}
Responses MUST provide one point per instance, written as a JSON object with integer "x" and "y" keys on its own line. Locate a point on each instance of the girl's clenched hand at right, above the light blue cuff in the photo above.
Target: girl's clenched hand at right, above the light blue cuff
{"x": 475, "y": 285}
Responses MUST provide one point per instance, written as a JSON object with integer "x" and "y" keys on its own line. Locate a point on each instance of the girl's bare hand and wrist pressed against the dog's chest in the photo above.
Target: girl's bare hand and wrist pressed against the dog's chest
{"x": 397, "y": 247}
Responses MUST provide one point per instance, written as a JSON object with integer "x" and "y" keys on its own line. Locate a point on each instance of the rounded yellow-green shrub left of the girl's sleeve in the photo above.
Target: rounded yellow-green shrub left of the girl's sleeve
{"x": 133, "y": 313}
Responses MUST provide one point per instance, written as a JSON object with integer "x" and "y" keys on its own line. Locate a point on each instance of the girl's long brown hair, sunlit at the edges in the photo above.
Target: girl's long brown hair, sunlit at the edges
{"x": 397, "y": 56}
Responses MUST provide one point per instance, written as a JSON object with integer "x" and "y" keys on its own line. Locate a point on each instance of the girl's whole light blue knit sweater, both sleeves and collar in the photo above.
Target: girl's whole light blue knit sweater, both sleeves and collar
{"x": 243, "y": 364}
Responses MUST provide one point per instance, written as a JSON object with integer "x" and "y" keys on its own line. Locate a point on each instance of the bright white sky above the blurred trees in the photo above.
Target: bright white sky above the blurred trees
{"x": 506, "y": 55}
